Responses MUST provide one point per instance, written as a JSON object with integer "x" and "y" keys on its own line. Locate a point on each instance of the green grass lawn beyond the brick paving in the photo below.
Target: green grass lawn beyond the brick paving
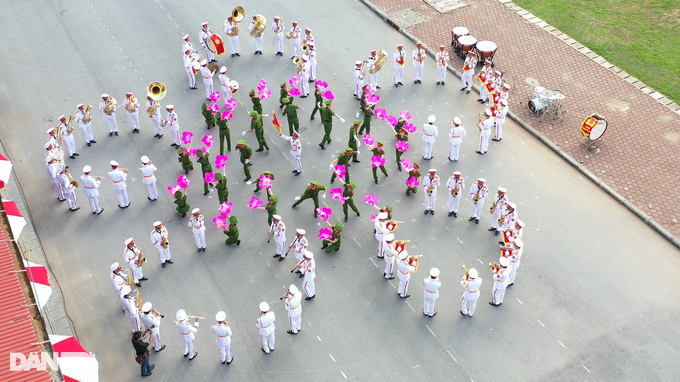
{"x": 641, "y": 37}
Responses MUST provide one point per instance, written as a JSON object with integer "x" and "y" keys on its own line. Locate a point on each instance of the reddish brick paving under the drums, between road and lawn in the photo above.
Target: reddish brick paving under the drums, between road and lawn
{"x": 638, "y": 157}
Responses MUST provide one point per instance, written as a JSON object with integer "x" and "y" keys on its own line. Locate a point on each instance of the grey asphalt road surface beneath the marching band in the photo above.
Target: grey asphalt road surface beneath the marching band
{"x": 594, "y": 298}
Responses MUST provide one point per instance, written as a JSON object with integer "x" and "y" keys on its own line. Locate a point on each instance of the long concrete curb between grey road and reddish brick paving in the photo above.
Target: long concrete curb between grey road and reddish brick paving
{"x": 647, "y": 219}
